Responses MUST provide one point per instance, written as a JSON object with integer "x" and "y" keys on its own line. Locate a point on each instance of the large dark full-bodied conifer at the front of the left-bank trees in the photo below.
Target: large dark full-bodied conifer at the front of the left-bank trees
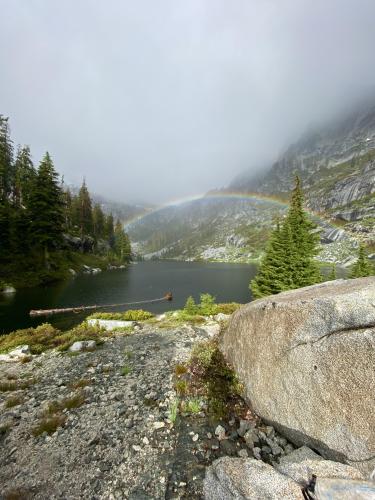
{"x": 46, "y": 208}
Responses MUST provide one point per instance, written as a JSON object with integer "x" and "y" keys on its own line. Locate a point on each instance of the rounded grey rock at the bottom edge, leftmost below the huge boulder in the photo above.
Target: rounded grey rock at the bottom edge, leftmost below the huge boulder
{"x": 239, "y": 479}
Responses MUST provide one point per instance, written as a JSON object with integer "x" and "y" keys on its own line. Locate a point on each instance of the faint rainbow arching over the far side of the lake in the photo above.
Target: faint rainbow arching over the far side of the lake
{"x": 255, "y": 197}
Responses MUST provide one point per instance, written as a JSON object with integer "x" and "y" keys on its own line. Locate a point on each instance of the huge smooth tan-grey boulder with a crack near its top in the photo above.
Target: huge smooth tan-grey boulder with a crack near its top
{"x": 306, "y": 358}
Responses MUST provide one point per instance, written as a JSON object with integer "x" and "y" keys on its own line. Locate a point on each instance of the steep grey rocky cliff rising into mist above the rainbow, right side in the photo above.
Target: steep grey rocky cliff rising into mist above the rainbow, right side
{"x": 337, "y": 166}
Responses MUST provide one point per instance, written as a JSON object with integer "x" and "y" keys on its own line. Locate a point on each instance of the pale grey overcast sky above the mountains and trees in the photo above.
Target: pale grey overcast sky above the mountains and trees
{"x": 155, "y": 100}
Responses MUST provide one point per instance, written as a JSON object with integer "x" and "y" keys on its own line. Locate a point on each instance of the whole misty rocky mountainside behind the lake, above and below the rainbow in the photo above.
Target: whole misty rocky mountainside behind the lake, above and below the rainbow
{"x": 337, "y": 165}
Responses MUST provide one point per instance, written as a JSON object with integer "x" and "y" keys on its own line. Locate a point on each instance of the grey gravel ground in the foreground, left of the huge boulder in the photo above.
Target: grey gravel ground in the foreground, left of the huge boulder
{"x": 119, "y": 443}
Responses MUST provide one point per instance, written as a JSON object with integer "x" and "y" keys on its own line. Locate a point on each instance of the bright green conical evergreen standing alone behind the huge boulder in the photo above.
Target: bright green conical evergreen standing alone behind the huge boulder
{"x": 288, "y": 261}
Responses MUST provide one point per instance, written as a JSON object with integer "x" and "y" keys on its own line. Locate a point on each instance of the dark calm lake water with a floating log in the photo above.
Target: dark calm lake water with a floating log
{"x": 141, "y": 281}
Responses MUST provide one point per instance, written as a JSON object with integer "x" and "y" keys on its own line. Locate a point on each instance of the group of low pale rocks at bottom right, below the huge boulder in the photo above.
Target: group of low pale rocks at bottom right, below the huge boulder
{"x": 239, "y": 479}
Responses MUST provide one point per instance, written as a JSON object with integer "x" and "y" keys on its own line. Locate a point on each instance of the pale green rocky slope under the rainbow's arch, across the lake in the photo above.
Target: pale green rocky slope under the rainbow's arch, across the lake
{"x": 232, "y": 230}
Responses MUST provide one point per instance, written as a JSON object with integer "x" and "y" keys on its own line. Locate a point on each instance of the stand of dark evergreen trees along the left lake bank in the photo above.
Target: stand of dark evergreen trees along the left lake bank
{"x": 36, "y": 211}
